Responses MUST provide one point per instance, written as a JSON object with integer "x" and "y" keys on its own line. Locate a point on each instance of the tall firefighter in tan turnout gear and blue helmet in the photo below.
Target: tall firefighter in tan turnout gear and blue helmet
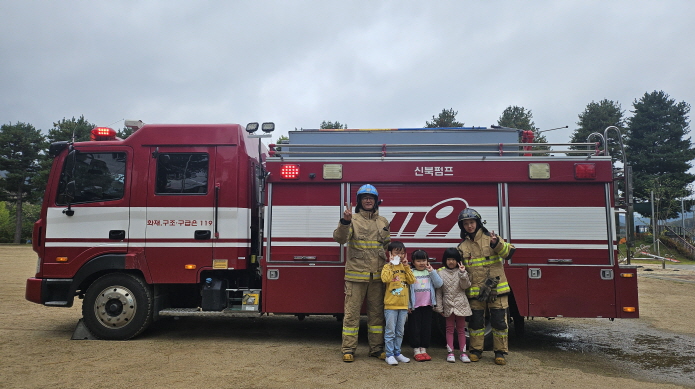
{"x": 367, "y": 236}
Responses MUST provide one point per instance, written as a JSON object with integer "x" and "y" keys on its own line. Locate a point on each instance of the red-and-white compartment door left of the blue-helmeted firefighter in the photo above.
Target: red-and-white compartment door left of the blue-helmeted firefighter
{"x": 304, "y": 268}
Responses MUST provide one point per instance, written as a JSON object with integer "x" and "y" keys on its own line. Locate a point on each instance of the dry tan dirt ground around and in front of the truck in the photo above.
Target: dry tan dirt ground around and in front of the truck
{"x": 271, "y": 352}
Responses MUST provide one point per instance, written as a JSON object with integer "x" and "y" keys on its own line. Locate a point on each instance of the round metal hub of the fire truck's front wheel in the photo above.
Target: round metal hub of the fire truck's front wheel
{"x": 115, "y": 306}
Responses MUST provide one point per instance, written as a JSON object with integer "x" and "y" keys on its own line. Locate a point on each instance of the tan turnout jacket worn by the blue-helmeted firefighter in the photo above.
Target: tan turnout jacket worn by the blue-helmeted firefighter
{"x": 367, "y": 237}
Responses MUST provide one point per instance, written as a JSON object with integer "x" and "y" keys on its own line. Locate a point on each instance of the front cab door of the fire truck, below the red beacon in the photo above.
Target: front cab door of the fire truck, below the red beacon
{"x": 99, "y": 220}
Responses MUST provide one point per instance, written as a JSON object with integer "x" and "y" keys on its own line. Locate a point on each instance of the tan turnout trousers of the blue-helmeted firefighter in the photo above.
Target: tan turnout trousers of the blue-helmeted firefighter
{"x": 355, "y": 293}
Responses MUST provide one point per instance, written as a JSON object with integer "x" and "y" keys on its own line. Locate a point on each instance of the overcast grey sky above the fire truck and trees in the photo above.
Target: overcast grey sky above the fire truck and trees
{"x": 370, "y": 64}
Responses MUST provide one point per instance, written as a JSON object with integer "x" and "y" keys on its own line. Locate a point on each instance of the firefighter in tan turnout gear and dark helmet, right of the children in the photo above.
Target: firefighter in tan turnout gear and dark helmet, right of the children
{"x": 484, "y": 253}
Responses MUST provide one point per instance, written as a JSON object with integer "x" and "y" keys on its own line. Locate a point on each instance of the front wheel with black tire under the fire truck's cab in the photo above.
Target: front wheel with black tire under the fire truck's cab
{"x": 117, "y": 306}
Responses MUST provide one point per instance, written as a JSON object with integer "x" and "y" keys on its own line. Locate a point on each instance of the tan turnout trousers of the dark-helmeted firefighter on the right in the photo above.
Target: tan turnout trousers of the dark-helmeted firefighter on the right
{"x": 498, "y": 321}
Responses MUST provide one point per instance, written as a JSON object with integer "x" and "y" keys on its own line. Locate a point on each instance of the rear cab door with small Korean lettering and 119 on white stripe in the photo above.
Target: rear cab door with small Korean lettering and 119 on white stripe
{"x": 180, "y": 213}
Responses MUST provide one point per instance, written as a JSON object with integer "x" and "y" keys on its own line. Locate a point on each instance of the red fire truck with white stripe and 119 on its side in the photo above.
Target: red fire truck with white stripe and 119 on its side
{"x": 183, "y": 220}
